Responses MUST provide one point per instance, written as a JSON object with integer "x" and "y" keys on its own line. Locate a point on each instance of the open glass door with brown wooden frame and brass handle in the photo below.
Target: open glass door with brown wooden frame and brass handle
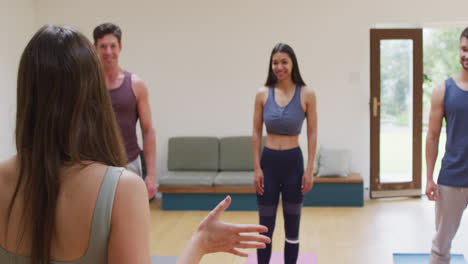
{"x": 396, "y": 112}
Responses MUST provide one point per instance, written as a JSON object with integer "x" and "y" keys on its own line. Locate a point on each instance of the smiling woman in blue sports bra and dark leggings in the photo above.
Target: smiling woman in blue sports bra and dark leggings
{"x": 282, "y": 105}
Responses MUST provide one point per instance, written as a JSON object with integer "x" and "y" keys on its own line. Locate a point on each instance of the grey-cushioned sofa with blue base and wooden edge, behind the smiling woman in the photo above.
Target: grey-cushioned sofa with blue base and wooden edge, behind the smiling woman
{"x": 203, "y": 170}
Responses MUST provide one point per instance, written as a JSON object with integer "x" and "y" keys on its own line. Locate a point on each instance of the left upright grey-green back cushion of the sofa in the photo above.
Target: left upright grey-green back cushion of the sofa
{"x": 193, "y": 154}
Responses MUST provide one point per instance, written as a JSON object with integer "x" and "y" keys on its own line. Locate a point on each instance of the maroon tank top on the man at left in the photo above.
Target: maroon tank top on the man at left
{"x": 125, "y": 109}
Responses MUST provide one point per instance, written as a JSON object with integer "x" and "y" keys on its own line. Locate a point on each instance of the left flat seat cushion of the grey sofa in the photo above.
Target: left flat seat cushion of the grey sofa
{"x": 188, "y": 178}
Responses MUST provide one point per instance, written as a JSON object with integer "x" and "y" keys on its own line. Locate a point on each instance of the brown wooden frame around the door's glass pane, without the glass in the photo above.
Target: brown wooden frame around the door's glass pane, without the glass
{"x": 413, "y": 188}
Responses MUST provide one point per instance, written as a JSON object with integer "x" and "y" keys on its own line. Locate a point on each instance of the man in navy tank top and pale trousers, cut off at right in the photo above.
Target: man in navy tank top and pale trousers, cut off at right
{"x": 449, "y": 101}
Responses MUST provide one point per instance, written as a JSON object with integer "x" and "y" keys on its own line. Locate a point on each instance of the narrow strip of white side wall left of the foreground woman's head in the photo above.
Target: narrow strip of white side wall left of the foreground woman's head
{"x": 16, "y": 28}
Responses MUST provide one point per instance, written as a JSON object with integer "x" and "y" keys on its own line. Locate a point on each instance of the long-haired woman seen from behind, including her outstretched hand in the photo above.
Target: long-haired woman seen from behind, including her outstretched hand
{"x": 65, "y": 196}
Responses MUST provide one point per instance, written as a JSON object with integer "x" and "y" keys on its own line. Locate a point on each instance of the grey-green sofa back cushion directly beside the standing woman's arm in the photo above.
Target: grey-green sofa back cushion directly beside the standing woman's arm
{"x": 235, "y": 153}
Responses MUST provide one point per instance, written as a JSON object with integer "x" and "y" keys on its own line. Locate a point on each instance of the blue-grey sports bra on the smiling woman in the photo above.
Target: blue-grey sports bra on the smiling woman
{"x": 283, "y": 120}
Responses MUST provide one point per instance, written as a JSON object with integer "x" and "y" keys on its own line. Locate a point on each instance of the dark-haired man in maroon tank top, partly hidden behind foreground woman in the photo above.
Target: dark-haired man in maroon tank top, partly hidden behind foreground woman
{"x": 129, "y": 96}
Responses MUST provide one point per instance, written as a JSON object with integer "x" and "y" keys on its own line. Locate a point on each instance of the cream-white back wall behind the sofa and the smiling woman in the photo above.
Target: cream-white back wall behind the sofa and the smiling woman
{"x": 204, "y": 60}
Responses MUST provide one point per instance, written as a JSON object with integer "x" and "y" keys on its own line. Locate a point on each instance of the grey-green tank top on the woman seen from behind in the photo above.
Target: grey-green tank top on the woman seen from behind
{"x": 100, "y": 229}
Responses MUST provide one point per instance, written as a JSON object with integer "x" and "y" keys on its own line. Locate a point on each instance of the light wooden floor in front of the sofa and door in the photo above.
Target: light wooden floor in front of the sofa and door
{"x": 367, "y": 235}
